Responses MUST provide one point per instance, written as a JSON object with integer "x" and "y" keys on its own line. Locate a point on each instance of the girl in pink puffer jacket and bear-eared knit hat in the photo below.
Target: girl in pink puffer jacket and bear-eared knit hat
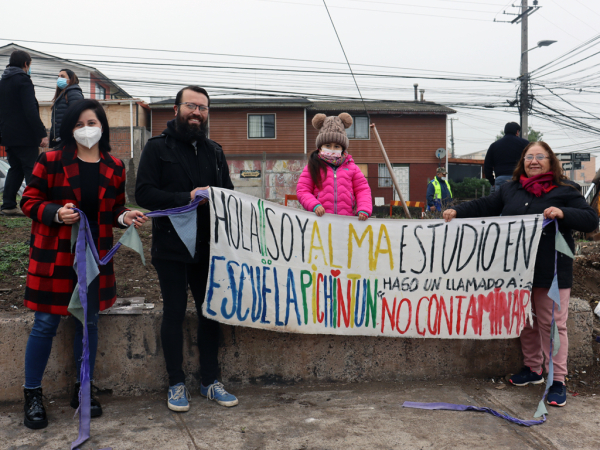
{"x": 331, "y": 182}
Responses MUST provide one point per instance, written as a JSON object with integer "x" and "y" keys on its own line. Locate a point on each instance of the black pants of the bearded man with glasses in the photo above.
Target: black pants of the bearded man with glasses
{"x": 174, "y": 278}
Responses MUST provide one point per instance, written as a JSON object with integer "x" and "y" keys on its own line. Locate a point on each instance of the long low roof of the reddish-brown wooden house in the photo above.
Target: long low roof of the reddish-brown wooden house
{"x": 374, "y": 107}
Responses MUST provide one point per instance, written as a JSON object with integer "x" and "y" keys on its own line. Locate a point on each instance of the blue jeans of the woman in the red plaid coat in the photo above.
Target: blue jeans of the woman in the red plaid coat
{"x": 39, "y": 343}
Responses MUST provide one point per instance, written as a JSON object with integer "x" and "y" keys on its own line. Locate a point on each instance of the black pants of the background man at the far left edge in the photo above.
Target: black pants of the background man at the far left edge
{"x": 21, "y": 160}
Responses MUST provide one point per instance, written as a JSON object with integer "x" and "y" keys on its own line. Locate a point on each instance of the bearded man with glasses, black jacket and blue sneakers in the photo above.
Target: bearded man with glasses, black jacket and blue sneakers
{"x": 173, "y": 166}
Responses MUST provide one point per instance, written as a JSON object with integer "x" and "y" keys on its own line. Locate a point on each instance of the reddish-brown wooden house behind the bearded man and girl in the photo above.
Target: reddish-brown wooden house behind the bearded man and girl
{"x": 267, "y": 141}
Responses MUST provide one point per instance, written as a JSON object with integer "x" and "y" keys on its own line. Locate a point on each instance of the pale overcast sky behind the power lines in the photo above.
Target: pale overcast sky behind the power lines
{"x": 426, "y": 39}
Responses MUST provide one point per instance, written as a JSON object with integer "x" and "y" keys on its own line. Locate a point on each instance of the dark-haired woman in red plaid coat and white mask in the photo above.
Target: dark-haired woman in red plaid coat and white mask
{"x": 83, "y": 174}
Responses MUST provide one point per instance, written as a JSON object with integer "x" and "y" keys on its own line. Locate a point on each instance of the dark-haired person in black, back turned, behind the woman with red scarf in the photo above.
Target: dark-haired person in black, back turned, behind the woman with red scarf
{"x": 503, "y": 155}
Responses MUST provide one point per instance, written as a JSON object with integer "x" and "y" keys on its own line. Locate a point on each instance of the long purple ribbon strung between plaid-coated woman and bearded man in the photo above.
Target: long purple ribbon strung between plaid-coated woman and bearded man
{"x": 84, "y": 237}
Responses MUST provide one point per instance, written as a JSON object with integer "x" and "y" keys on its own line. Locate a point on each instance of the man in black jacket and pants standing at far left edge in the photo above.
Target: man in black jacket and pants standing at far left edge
{"x": 21, "y": 128}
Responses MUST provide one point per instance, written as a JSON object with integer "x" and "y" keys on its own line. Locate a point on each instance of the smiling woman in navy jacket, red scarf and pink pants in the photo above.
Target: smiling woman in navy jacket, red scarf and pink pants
{"x": 539, "y": 187}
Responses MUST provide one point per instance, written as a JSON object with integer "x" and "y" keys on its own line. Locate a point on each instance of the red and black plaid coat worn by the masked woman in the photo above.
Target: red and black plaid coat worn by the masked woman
{"x": 54, "y": 183}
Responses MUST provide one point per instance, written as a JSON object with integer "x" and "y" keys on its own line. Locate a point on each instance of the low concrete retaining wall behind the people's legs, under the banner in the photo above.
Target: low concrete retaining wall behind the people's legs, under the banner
{"x": 130, "y": 359}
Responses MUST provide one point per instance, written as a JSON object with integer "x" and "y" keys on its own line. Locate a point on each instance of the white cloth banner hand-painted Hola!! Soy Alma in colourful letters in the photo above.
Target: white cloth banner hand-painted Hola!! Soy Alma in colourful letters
{"x": 283, "y": 269}
